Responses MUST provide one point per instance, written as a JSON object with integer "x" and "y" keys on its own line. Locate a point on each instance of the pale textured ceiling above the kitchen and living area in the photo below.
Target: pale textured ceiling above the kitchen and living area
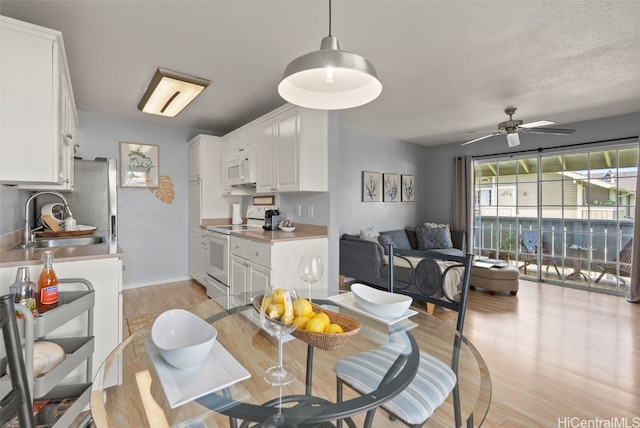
{"x": 447, "y": 67}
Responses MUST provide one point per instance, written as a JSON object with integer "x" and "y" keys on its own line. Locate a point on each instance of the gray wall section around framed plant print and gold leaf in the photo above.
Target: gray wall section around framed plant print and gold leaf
{"x": 153, "y": 234}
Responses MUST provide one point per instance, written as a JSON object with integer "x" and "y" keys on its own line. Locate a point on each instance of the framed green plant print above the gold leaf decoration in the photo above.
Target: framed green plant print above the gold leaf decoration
{"x": 139, "y": 164}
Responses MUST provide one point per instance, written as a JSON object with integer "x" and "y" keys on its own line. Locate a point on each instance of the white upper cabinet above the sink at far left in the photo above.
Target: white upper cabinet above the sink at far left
{"x": 39, "y": 120}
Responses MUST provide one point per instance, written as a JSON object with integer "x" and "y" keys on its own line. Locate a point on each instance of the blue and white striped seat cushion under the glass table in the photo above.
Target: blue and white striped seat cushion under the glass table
{"x": 426, "y": 392}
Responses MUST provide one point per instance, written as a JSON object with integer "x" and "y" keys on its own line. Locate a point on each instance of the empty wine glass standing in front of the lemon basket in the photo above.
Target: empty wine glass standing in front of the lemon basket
{"x": 276, "y": 317}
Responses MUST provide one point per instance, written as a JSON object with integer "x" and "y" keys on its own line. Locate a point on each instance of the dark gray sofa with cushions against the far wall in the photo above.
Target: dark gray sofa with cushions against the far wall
{"x": 364, "y": 258}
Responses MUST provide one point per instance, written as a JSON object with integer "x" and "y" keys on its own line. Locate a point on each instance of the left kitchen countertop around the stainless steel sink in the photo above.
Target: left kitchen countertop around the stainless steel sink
{"x": 11, "y": 258}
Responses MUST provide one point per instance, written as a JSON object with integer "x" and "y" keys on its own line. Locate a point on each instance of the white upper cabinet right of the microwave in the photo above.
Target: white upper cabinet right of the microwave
{"x": 292, "y": 151}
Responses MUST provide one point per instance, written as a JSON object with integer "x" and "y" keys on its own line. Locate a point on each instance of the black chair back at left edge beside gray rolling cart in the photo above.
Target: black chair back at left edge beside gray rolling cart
{"x": 19, "y": 398}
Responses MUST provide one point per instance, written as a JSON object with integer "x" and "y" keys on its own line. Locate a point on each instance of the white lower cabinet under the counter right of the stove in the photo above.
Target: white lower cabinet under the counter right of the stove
{"x": 256, "y": 265}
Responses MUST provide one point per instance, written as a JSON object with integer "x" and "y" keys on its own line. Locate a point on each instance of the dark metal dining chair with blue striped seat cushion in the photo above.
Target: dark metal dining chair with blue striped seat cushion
{"x": 434, "y": 381}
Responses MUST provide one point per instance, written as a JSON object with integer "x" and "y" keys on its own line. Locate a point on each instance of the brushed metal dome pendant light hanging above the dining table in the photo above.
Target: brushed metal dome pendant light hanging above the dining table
{"x": 330, "y": 78}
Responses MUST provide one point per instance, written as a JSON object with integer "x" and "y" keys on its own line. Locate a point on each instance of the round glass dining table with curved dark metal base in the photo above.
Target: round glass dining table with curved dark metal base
{"x": 135, "y": 387}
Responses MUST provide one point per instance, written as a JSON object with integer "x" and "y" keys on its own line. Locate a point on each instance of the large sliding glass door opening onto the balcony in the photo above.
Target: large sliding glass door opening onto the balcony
{"x": 564, "y": 217}
